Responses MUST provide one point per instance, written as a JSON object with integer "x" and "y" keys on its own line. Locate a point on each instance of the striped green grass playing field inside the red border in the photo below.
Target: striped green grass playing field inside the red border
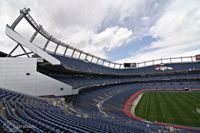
{"x": 181, "y": 108}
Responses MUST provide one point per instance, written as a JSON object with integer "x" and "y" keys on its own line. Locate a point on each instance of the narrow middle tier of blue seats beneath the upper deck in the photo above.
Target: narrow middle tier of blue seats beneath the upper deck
{"x": 81, "y": 81}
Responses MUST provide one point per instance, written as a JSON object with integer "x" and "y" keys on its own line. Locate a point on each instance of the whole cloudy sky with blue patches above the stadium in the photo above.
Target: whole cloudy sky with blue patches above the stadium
{"x": 118, "y": 30}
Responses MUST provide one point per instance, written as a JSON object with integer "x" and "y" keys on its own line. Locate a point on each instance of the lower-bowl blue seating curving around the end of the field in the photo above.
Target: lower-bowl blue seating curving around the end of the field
{"x": 112, "y": 100}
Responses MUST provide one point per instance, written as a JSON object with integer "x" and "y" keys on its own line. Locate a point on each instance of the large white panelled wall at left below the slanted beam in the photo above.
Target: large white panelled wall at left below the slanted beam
{"x": 20, "y": 74}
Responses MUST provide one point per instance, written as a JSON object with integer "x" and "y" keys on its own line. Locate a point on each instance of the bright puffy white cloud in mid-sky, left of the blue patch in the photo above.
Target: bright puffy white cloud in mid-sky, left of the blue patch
{"x": 99, "y": 43}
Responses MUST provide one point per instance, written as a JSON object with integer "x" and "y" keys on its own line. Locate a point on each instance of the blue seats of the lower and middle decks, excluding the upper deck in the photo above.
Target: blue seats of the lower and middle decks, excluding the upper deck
{"x": 97, "y": 109}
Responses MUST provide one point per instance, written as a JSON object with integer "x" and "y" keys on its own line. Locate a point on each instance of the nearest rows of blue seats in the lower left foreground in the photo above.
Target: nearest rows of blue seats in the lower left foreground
{"x": 31, "y": 114}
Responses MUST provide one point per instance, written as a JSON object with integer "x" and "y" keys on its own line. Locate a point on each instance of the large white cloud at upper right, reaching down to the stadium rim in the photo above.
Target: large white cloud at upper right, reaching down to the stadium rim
{"x": 177, "y": 32}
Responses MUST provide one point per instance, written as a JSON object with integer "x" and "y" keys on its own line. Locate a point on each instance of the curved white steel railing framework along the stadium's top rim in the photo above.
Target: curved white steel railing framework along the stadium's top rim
{"x": 24, "y": 13}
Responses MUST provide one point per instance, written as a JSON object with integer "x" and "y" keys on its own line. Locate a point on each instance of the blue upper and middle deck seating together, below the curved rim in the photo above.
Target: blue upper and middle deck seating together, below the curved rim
{"x": 81, "y": 74}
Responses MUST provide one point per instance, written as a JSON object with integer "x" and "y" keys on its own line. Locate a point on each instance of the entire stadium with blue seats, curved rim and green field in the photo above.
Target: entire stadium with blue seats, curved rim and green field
{"x": 54, "y": 87}
